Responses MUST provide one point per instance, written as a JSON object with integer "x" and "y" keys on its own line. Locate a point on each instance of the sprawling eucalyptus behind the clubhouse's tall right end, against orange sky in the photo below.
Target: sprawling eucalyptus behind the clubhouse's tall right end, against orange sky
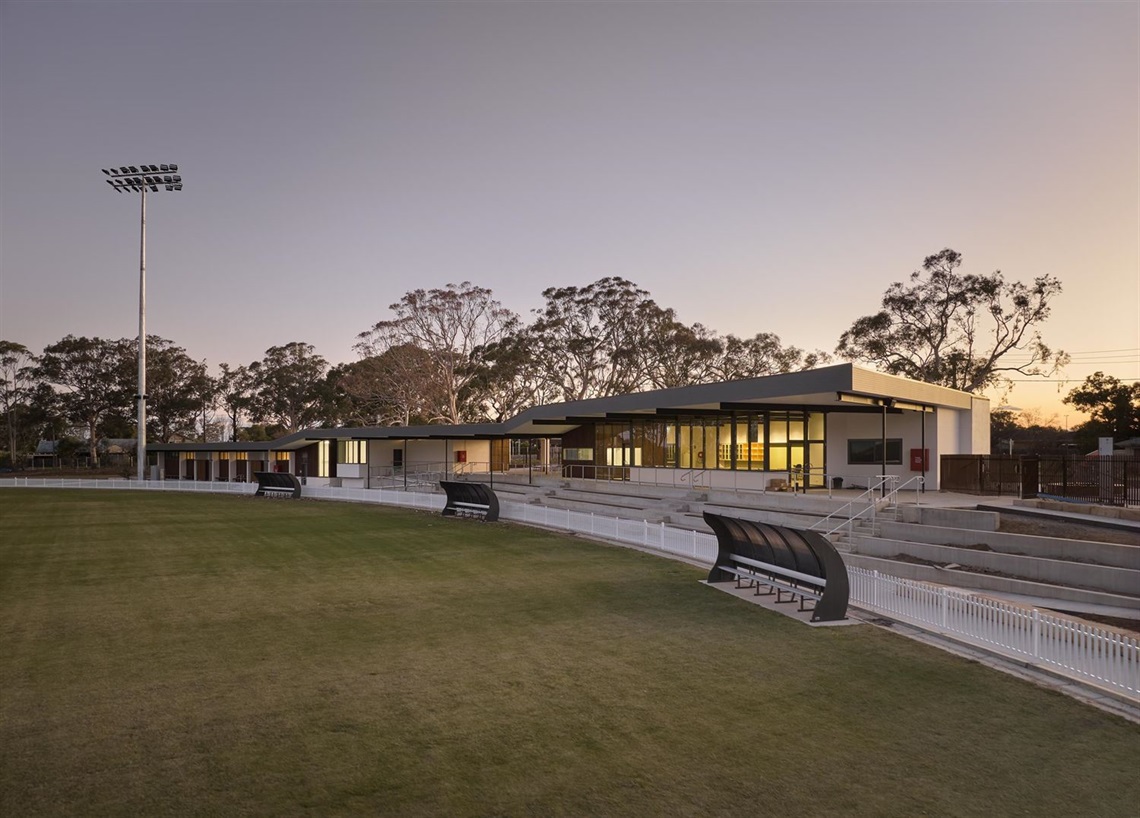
{"x": 967, "y": 332}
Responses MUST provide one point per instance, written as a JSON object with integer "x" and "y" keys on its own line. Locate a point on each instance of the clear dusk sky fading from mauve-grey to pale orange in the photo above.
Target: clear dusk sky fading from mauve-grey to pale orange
{"x": 759, "y": 167}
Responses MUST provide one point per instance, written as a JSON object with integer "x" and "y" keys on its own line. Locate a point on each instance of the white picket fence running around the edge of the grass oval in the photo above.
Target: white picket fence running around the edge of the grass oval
{"x": 1069, "y": 648}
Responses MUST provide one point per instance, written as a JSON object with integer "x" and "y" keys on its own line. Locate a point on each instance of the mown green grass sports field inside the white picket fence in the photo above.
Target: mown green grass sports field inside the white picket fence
{"x": 166, "y": 655}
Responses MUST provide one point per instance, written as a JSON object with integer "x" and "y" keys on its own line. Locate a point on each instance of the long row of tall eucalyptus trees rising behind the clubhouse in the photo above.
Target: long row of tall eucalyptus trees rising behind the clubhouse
{"x": 455, "y": 355}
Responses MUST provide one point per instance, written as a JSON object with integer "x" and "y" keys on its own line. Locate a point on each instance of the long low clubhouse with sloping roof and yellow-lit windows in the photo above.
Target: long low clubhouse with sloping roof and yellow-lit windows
{"x": 835, "y": 426}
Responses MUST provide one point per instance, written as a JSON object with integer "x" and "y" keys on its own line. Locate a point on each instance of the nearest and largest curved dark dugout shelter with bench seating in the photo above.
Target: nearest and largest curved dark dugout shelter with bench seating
{"x": 794, "y": 563}
